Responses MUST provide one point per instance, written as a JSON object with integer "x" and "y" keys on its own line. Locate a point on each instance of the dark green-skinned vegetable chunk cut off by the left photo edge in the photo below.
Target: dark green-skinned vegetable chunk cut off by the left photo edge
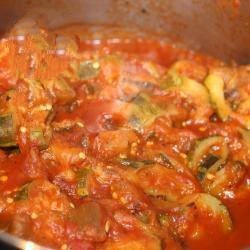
{"x": 7, "y": 131}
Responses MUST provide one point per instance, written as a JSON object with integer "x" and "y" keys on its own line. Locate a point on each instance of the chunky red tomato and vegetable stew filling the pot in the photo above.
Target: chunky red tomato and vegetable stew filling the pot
{"x": 122, "y": 143}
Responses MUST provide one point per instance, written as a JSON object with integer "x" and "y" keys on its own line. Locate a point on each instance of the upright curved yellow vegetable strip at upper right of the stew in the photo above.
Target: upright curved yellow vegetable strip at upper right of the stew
{"x": 215, "y": 86}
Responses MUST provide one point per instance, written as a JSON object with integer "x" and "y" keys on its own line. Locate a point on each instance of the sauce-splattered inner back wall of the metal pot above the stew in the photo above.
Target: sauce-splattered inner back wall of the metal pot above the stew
{"x": 216, "y": 27}
